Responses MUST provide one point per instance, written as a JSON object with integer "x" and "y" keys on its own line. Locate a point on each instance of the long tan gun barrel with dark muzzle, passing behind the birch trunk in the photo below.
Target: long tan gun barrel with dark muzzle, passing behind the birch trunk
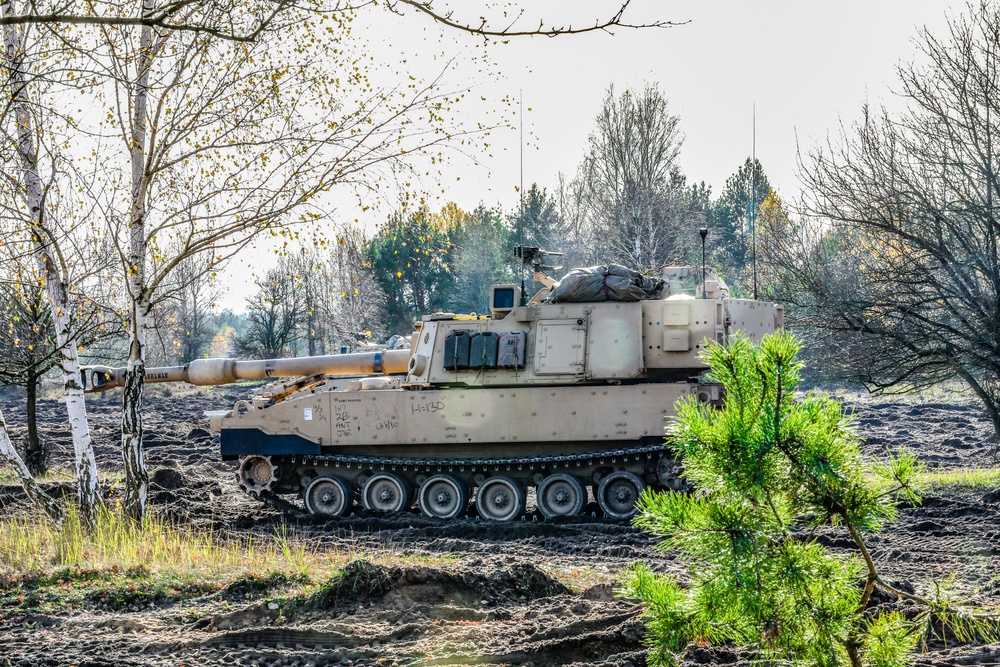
{"x": 207, "y": 372}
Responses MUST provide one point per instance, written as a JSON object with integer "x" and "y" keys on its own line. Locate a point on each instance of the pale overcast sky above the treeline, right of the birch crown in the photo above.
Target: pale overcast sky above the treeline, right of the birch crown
{"x": 805, "y": 66}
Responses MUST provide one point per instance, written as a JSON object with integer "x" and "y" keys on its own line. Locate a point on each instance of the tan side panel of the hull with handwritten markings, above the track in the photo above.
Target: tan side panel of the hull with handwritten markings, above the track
{"x": 466, "y": 421}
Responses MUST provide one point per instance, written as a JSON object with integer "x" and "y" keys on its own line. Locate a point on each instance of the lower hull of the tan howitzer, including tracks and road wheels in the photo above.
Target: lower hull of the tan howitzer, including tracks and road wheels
{"x": 387, "y": 443}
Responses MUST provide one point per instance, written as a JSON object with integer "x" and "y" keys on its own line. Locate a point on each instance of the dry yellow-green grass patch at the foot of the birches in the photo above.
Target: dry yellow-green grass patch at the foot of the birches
{"x": 122, "y": 566}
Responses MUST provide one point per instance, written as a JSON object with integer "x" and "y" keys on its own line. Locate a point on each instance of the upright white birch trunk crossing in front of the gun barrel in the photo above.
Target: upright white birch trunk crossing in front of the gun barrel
{"x": 136, "y": 475}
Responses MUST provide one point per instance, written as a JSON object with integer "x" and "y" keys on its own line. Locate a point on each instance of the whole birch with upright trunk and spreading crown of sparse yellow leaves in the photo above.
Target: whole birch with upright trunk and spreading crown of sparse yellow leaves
{"x": 228, "y": 141}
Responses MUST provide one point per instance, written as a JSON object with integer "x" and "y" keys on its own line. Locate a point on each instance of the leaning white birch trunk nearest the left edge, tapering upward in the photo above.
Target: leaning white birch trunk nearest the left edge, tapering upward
{"x": 44, "y": 251}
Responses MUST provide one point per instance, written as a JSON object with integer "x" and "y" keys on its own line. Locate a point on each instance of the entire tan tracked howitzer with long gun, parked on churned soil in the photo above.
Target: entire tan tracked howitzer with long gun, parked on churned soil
{"x": 557, "y": 396}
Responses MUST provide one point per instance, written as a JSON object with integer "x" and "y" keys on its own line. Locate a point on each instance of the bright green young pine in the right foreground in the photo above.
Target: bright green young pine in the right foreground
{"x": 772, "y": 468}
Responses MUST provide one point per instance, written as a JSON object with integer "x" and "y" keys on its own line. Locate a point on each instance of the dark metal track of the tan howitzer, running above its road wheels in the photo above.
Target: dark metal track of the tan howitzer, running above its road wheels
{"x": 585, "y": 459}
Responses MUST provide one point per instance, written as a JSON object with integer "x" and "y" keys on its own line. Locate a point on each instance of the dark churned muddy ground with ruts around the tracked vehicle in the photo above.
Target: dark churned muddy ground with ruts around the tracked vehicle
{"x": 500, "y": 601}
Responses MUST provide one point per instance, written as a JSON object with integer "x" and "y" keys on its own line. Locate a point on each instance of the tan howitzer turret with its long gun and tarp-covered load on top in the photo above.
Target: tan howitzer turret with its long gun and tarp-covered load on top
{"x": 603, "y": 324}
